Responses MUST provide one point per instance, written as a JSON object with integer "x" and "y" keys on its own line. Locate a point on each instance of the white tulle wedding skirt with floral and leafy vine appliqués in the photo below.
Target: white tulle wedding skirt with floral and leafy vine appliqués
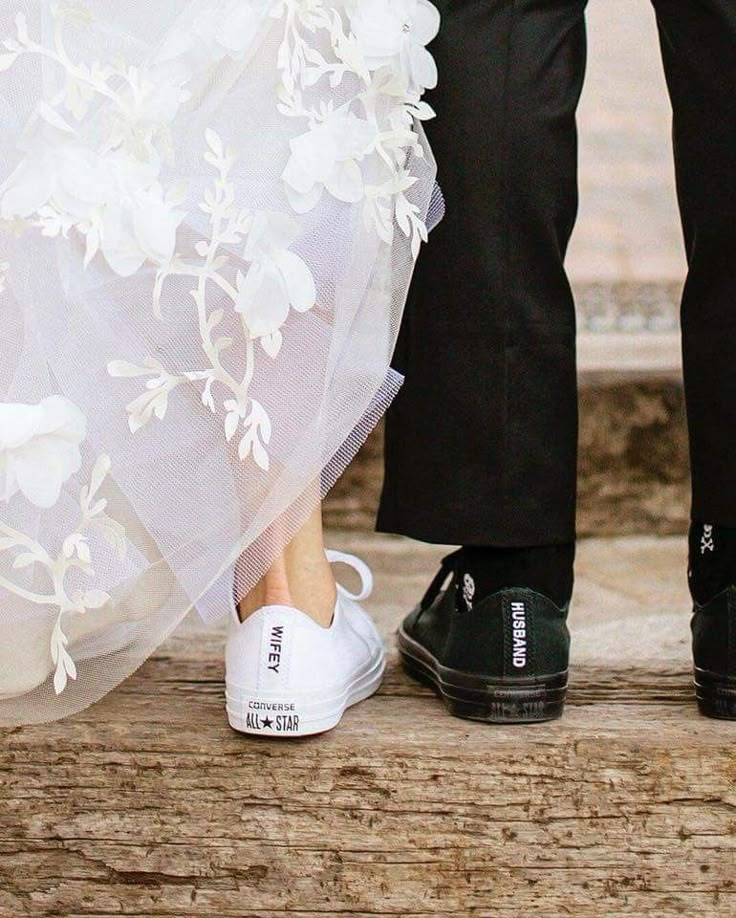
{"x": 209, "y": 216}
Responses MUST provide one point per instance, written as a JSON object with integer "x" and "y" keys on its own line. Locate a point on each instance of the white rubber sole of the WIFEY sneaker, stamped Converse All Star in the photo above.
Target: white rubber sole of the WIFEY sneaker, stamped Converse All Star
{"x": 295, "y": 715}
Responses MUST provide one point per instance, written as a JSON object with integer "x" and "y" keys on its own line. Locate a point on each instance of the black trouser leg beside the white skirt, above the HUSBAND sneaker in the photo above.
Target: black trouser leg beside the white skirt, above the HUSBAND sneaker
{"x": 481, "y": 443}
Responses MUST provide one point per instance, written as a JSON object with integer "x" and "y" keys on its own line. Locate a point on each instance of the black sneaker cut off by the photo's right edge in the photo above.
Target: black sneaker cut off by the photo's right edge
{"x": 714, "y": 654}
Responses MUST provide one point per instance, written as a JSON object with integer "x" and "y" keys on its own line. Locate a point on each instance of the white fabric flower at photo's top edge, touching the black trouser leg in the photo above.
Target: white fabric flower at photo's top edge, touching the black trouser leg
{"x": 389, "y": 29}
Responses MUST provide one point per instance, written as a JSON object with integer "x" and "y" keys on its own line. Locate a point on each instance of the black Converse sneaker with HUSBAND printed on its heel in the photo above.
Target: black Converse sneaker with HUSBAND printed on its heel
{"x": 502, "y": 659}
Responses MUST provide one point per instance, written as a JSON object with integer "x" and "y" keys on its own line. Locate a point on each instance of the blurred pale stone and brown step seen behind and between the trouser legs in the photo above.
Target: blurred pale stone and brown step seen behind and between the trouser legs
{"x": 627, "y": 265}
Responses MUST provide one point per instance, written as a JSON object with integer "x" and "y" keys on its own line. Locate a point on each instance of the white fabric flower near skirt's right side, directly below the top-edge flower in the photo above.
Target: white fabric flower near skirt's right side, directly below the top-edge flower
{"x": 327, "y": 156}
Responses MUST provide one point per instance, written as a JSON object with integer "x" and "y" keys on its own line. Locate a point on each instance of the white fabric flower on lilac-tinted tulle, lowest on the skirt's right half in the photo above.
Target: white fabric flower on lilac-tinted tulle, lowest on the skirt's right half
{"x": 276, "y": 279}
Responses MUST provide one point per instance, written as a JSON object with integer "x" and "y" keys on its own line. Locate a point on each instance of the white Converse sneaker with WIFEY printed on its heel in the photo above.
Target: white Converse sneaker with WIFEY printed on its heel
{"x": 288, "y": 676}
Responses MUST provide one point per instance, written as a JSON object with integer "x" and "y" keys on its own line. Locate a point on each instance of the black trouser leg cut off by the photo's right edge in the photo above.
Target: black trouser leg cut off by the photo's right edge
{"x": 698, "y": 39}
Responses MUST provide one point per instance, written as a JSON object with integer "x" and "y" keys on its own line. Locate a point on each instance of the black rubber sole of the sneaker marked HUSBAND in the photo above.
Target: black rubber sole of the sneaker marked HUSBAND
{"x": 487, "y": 699}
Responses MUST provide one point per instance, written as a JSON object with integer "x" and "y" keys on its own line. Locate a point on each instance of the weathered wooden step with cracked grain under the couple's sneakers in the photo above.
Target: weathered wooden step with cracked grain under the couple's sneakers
{"x": 147, "y": 804}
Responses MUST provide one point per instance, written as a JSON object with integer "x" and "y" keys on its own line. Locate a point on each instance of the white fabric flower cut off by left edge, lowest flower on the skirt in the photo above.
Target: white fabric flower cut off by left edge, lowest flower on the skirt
{"x": 39, "y": 448}
